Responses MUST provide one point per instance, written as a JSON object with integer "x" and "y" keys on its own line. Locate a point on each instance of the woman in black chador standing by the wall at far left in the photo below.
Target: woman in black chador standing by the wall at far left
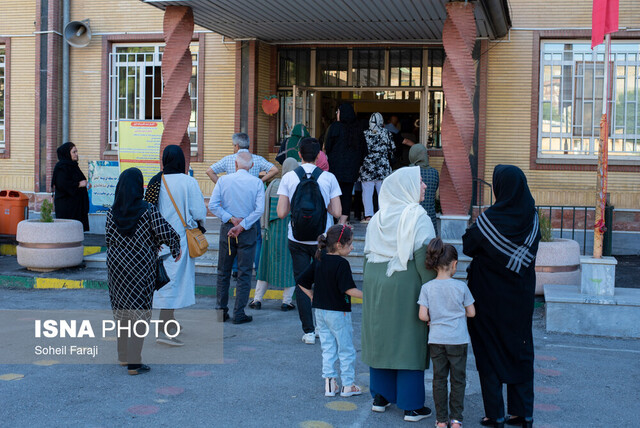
{"x": 71, "y": 199}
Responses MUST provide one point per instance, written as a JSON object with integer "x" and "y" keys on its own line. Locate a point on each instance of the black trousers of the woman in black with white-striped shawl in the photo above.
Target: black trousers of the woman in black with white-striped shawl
{"x": 519, "y": 397}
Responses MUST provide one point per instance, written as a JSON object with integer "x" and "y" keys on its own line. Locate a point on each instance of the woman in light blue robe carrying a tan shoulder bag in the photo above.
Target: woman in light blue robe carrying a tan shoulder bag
{"x": 180, "y": 292}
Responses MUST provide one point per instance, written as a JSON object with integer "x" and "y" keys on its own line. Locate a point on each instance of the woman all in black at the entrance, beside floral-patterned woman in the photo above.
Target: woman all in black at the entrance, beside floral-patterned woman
{"x": 346, "y": 148}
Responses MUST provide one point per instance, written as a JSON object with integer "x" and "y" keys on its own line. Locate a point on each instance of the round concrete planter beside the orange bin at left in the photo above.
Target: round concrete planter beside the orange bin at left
{"x": 45, "y": 247}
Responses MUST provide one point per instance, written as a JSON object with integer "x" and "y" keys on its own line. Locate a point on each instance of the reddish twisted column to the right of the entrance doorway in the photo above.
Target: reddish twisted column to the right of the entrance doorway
{"x": 459, "y": 81}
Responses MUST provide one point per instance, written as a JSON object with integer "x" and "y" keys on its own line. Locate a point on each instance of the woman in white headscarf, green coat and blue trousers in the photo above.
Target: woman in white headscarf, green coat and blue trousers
{"x": 394, "y": 340}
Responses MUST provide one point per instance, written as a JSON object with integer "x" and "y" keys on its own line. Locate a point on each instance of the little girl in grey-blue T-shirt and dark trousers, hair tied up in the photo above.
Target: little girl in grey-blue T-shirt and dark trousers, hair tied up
{"x": 445, "y": 303}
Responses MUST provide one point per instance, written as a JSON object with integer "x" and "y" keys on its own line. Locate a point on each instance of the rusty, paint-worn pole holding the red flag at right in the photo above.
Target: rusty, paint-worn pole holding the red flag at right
{"x": 603, "y": 160}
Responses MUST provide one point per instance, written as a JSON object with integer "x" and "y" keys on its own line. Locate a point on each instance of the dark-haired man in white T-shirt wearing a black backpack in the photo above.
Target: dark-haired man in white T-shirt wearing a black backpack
{"x": 302, "y": 252}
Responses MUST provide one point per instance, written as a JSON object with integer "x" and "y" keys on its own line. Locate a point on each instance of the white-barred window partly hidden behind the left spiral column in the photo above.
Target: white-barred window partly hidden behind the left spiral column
{"x": 135, "y": 88}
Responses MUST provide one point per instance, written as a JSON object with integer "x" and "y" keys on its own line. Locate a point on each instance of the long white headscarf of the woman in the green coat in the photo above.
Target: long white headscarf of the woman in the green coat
{"x": 401, "y": 226}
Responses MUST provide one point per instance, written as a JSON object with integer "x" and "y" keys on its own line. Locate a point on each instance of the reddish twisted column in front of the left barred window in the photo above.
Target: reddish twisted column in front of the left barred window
{"x": 176, "y": 74}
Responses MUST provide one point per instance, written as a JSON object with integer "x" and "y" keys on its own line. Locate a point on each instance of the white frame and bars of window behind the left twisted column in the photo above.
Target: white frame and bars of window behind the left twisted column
{"x": 118, "y": 61}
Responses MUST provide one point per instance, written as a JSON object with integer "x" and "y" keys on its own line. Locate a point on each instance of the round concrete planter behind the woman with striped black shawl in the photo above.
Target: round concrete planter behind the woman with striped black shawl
{"x": 557, "y": 262}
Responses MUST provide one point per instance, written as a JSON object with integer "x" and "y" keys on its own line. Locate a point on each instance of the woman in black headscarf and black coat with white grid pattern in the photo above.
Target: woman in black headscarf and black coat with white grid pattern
{"x": 134, "y": 231}
